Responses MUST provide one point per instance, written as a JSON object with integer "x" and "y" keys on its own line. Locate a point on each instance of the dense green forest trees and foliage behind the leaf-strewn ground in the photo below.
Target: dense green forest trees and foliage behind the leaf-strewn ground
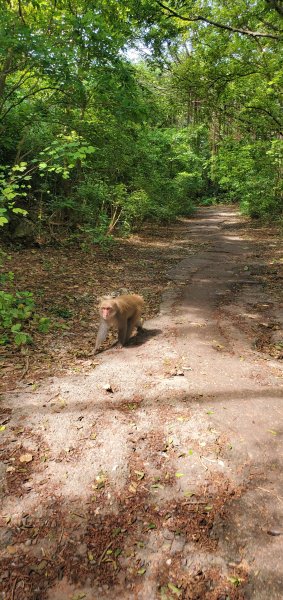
{"x": 99, "y": 144}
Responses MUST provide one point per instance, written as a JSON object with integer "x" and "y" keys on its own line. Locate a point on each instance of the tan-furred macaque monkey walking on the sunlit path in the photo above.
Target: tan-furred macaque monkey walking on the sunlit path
{"x": 123, "y": 313}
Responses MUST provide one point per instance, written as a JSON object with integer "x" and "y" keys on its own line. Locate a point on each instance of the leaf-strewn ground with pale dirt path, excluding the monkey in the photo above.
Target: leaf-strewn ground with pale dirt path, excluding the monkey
{"x": 153, "y": 472}
